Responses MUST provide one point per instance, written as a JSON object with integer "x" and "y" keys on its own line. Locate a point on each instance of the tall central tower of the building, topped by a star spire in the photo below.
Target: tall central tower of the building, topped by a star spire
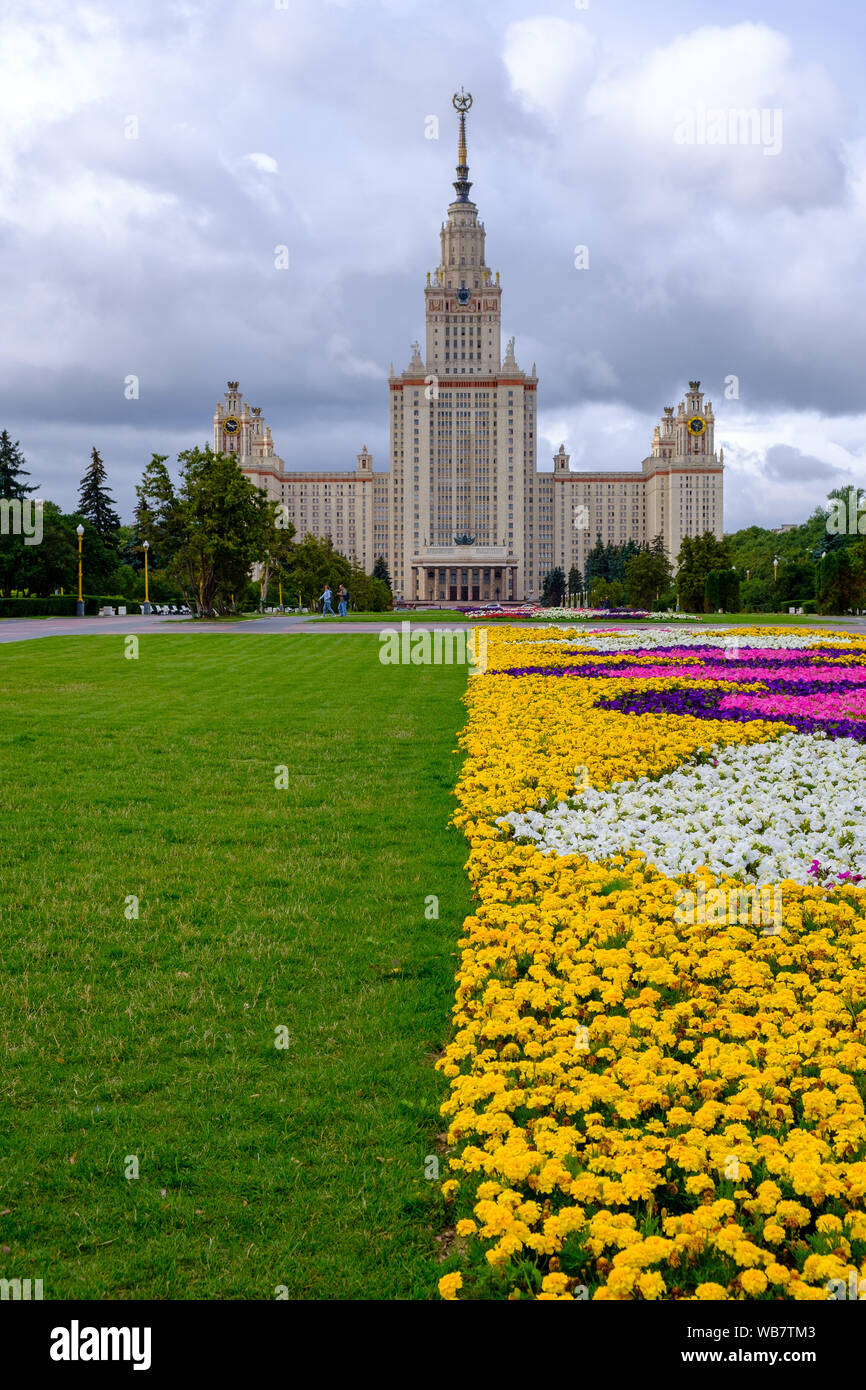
{"x": 462, "y": 429}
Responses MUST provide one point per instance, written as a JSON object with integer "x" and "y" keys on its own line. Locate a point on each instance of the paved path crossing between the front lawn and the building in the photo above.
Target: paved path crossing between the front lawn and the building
{"x": 23, "y": 630}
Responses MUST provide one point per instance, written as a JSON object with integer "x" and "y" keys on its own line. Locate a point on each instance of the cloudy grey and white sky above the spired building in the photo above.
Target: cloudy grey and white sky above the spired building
{"x": 152, "y": 159}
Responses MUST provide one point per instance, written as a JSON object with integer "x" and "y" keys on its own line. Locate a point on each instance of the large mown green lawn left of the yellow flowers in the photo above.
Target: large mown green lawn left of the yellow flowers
{"x": 261, "y": 908}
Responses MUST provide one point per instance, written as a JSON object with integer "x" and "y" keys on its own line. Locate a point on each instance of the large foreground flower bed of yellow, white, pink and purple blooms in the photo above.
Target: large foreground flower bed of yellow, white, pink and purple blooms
{"x": 654, "y": 1096}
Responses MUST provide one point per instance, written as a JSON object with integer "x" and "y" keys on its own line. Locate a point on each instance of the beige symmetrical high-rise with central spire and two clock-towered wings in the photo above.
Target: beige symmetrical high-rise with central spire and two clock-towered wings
{"x": 464, "y": 511}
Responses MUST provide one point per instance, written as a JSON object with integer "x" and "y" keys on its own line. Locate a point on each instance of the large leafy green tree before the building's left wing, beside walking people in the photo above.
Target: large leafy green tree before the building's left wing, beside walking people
{"x": 211, "y": 532}
